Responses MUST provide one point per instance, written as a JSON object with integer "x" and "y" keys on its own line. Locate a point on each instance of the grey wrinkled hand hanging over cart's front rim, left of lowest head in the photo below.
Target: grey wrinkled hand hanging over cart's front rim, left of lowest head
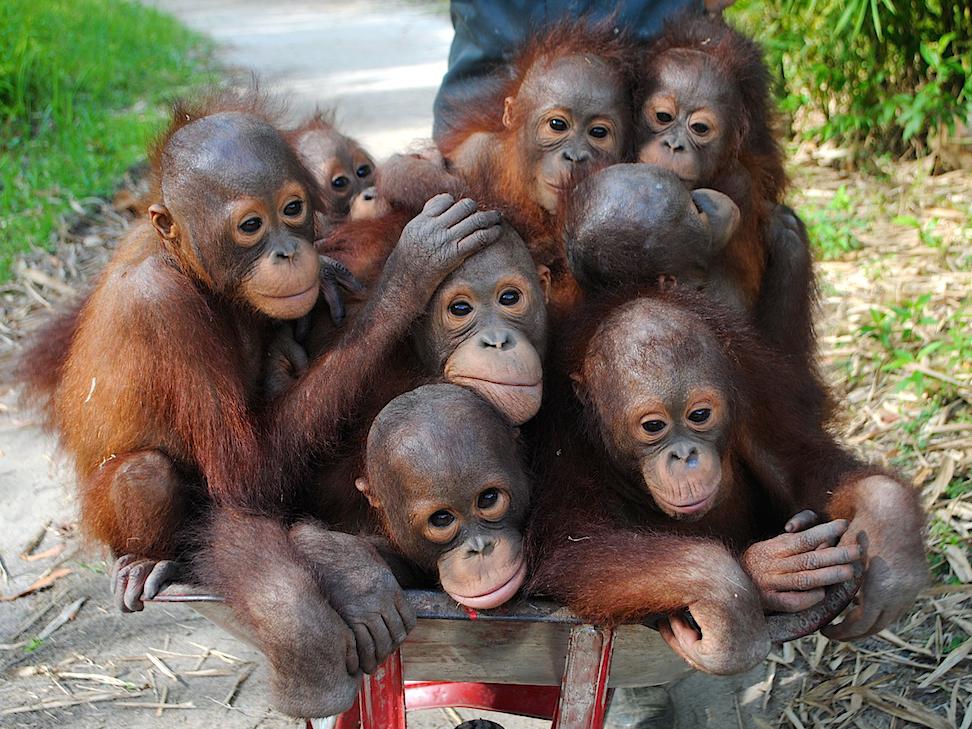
{"x": 361, "y": 589}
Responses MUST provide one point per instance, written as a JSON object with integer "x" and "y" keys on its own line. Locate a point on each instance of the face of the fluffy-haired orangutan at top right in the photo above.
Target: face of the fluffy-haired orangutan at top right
{"x": 686, "y": 124}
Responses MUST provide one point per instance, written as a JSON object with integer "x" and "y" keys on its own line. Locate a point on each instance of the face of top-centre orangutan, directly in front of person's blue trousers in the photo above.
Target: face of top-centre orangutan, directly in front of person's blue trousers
{"x": 572, "y": 113}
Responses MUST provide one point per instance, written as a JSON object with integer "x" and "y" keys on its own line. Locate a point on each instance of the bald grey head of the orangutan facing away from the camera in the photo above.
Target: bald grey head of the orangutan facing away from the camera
{"x": 632, "y": 224}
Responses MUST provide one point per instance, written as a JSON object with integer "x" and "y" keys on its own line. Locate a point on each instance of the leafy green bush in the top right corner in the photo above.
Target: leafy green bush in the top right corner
{"x": 875, "y": 76}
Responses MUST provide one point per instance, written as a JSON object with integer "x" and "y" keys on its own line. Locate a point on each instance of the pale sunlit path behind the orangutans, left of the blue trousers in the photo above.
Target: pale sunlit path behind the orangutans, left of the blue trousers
{"x": 377, "y": 63}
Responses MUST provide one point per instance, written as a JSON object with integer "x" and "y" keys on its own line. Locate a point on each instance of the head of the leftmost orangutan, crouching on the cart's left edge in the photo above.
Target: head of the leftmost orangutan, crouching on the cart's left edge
{"x": 238, "y": 205}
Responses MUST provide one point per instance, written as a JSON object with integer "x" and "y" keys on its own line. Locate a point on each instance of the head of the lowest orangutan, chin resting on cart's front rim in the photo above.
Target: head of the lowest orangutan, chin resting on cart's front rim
{"x": 444, "y": 471}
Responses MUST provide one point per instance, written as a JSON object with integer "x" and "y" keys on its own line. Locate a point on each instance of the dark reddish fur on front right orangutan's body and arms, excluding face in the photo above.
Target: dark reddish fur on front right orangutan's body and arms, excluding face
{"x": 593, "y": 527}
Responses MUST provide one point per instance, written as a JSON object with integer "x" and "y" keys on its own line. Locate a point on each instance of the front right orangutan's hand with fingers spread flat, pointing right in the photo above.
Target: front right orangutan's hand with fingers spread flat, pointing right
{"x": 791, "y": 570}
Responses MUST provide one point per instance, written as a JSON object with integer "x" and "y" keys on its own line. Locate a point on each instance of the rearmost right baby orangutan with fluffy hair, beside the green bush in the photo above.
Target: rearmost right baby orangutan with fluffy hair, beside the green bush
{"x": 706, "y": 113}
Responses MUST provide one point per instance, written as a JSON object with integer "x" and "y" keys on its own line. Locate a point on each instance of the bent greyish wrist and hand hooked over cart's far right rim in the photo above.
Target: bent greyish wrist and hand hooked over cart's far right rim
{"x": 886, "y": 521}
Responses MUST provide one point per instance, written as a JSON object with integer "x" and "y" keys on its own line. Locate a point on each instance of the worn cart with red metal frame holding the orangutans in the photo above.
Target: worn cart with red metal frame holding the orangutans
{"x": 530, "y": 658}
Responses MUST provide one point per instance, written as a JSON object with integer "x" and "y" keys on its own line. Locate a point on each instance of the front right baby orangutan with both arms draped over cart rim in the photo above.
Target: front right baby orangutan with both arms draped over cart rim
{"x": 697, "y": 450}
